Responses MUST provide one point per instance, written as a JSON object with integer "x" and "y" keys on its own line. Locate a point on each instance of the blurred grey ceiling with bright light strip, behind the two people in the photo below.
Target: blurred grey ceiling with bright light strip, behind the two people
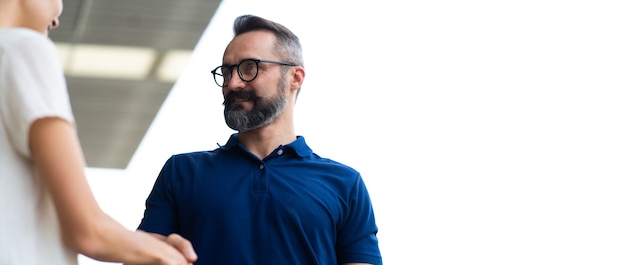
{"x": 121, "y": 59}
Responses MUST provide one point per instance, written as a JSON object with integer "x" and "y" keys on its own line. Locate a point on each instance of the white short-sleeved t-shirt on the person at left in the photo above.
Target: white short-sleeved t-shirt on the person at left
{"x": 32, "y": 86}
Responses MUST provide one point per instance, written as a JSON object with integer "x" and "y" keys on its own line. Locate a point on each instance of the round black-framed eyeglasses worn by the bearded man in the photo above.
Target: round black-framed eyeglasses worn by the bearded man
{"x": 247, "y": 70}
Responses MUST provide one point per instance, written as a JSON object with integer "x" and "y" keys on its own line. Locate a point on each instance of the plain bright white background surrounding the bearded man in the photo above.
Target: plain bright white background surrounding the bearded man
{"x": 488, "y": 132}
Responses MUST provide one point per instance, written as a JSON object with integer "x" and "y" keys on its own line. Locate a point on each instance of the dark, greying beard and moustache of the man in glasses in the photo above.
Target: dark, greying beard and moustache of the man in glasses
{"x": 263, "y": 112}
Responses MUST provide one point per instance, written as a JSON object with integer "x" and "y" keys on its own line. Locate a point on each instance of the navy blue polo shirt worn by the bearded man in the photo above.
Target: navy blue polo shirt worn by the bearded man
{"x": 292, "y": 207}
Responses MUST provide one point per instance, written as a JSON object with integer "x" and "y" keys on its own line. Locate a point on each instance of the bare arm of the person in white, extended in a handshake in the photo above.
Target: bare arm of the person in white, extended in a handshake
{"x": 85, "y": 227}
